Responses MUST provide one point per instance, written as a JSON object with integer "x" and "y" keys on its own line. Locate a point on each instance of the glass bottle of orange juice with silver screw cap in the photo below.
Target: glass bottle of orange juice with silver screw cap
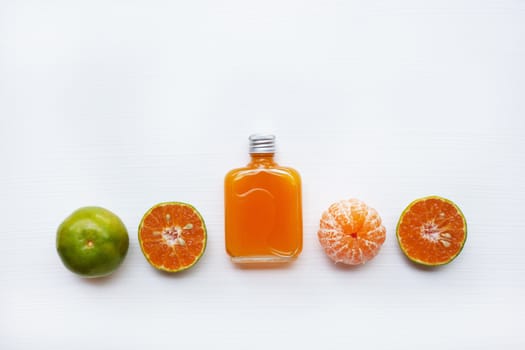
{"x": 263, "y": 211}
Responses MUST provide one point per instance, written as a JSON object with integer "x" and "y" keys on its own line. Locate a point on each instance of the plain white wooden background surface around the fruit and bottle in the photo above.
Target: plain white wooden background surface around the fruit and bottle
{"x": 125, "y": 104}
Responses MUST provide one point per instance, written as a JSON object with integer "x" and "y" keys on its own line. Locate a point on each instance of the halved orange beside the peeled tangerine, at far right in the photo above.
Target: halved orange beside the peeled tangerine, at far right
{"x": 432, "y": 231}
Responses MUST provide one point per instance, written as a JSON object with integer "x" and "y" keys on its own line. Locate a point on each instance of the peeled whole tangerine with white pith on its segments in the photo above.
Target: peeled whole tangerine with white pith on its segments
{"x": 351, "y": 232}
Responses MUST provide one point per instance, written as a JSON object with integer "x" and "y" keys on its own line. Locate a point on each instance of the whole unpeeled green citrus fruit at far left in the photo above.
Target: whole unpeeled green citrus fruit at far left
{"x": 92, "y": 242}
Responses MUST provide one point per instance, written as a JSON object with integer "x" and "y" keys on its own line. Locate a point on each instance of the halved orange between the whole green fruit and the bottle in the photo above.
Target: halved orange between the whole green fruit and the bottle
{"x": 172, "y": 236}
